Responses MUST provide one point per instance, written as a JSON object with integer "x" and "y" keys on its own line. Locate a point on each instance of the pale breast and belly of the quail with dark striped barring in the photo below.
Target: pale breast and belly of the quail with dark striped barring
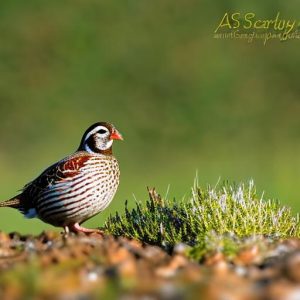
{"x": 83, "y": 196}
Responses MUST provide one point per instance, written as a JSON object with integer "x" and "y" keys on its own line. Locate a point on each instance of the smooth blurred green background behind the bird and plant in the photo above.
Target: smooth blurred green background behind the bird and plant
{"x": 183, "y": 100}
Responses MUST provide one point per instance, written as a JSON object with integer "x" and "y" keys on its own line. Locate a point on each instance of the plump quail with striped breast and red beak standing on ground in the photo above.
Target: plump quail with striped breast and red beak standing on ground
{"x": 77, "y": 187}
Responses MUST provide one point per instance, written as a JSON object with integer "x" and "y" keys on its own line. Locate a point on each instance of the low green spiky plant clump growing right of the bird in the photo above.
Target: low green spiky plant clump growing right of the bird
{"x": 224, "y": 218}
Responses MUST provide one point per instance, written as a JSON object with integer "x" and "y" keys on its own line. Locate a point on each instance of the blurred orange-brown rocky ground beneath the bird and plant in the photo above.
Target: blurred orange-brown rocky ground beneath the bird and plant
{"x": 50, "y": 266}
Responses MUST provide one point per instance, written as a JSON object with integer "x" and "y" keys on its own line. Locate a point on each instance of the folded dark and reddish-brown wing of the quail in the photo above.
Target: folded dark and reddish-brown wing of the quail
{"x": 59, "y": 172}
